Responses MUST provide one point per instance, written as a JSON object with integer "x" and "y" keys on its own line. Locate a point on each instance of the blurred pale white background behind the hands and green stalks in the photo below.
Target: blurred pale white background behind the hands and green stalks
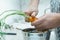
{"x": 20, "y": 5}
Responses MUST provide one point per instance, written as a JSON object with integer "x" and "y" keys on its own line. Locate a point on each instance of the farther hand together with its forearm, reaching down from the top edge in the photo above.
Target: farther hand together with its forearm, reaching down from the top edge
{"x": 32, "y": 9}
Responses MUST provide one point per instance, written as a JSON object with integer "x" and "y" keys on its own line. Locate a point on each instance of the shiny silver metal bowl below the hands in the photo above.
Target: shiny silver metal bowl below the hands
{"x": 32, "y": 34}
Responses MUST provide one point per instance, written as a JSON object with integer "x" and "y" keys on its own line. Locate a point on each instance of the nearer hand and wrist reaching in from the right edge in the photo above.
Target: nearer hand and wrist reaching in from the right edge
{"x": 47, "y": 21}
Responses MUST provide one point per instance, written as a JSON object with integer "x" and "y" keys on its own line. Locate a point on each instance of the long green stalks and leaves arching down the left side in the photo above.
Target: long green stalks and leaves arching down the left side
{"x": 6, "y": 26}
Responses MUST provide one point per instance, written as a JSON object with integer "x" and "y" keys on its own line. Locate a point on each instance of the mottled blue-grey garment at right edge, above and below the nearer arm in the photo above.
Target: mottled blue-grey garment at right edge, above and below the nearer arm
{"x": 55, "y": 8}
